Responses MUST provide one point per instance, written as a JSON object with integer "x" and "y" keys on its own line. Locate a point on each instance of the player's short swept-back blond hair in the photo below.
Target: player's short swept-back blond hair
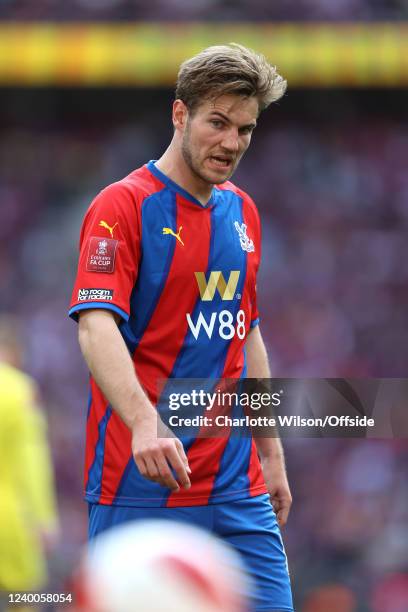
{"x": 228, "y": 69}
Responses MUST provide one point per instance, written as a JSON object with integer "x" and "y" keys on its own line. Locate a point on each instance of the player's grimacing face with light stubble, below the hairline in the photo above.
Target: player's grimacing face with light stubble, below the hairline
{"x": 217, "y": 135}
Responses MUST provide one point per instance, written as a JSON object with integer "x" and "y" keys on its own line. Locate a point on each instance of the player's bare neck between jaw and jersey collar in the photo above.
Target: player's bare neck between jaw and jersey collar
{"x": 172, "y": 164}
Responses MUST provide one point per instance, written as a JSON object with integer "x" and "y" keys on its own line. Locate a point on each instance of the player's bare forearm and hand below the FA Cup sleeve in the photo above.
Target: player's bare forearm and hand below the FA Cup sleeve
{"x": 111, "y": 366}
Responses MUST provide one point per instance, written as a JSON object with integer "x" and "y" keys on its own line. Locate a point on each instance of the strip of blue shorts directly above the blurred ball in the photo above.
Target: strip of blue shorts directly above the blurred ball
{"x": 103, "y": 517}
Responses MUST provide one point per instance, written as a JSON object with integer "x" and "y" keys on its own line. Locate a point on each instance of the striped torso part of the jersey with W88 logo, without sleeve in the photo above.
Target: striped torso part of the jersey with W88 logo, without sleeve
{"x": 190, "y": 312}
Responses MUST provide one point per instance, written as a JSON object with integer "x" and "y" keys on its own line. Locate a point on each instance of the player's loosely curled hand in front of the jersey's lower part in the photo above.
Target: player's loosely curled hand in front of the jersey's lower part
{"x": 156, "y": 456}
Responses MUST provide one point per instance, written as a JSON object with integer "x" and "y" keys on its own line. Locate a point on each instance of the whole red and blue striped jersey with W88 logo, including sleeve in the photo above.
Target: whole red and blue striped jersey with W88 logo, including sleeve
{"x": 182, "y": 276}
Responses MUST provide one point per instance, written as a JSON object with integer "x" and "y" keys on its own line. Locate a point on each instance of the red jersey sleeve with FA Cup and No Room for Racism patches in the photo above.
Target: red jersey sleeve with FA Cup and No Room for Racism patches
{"x": 109, "y": 253}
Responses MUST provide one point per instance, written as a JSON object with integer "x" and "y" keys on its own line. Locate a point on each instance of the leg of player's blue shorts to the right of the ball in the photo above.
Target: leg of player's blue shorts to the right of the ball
{"x": 250, "y": 526}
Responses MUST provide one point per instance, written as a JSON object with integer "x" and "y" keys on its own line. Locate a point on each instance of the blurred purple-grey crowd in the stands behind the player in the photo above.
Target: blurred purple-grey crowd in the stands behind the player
{"x": 328, "y": 171}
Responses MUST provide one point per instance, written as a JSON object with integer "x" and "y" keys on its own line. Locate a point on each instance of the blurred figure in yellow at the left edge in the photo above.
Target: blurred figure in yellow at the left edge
{"x": 27, "y": 502}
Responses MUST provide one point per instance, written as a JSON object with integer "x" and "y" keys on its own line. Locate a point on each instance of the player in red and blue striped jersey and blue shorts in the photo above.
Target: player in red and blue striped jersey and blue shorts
{"x": 166, "y": 288}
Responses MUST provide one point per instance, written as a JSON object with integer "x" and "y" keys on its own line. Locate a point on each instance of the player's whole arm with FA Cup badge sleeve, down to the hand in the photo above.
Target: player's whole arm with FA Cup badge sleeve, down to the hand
{"x": 107, "y": 271}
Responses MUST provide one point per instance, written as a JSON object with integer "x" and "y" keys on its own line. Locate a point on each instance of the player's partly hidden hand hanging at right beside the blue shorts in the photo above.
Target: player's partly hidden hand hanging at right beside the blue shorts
{"x": 278, "y": 487}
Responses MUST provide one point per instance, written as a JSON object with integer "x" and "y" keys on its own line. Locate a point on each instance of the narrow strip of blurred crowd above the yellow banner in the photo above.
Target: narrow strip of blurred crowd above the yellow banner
{"x": 213, "y": 10}
